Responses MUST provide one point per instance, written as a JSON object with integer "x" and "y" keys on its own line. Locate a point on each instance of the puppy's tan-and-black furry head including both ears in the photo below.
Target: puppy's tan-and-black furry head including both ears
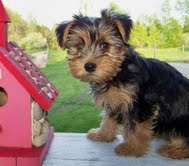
{"x": 96, "y": 46}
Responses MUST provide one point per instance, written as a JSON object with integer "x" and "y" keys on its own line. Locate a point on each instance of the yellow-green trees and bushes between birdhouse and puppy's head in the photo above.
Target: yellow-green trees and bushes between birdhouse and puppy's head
{"x": 21, "y": 32}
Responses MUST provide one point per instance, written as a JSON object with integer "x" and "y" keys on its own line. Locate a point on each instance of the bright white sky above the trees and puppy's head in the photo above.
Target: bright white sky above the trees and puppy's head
{"x": 51, "y": 12}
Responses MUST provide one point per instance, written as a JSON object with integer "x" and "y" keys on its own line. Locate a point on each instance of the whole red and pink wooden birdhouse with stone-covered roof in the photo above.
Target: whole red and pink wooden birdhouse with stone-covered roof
{"x": 23, "y": 91}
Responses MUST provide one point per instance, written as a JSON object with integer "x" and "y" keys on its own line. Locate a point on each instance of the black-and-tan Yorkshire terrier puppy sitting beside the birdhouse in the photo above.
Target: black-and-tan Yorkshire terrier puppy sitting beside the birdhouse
{"x": 147, "y": 97}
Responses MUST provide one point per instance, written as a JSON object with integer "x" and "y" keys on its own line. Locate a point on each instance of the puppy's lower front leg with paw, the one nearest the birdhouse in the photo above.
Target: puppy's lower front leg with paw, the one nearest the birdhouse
{"x": 106, "y": 132}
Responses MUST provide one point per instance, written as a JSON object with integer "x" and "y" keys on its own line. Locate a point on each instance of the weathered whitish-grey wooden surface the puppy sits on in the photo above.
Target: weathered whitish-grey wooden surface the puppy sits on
{"x": 69, "y": 149}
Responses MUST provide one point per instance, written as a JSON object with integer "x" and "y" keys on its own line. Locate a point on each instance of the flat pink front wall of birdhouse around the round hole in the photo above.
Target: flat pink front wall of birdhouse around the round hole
{"x": 15, "y": 115}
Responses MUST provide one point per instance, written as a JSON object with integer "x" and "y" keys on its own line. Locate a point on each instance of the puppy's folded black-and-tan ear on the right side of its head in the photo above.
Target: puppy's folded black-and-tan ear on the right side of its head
{"x": 124, "y": 25}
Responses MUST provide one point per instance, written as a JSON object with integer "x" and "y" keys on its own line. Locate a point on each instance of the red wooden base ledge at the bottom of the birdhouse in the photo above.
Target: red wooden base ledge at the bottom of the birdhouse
{"x": 26, "y": 156}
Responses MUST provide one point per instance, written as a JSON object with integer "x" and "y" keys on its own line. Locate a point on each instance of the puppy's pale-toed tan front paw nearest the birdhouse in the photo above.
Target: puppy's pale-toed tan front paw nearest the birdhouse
{"x": 100, "y": 135}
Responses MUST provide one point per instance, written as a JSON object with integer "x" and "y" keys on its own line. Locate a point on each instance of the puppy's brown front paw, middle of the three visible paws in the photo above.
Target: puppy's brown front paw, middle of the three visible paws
{"x": 124, "y": 149}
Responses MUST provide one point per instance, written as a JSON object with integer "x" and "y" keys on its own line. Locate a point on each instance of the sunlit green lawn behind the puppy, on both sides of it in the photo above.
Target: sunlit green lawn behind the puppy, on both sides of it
{"x": 74, "y": 110}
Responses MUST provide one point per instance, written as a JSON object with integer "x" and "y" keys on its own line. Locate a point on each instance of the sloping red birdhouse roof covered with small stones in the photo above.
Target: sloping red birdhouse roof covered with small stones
{"x": 29, "y": 76}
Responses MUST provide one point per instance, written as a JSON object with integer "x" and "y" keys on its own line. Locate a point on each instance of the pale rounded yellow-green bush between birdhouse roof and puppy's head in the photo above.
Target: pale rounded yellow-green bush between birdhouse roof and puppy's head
{"x": 33, "y": 41}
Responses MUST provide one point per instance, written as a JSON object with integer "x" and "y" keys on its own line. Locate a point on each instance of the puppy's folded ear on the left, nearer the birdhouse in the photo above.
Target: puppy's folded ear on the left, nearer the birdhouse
{"x": 62, "y": 32}
